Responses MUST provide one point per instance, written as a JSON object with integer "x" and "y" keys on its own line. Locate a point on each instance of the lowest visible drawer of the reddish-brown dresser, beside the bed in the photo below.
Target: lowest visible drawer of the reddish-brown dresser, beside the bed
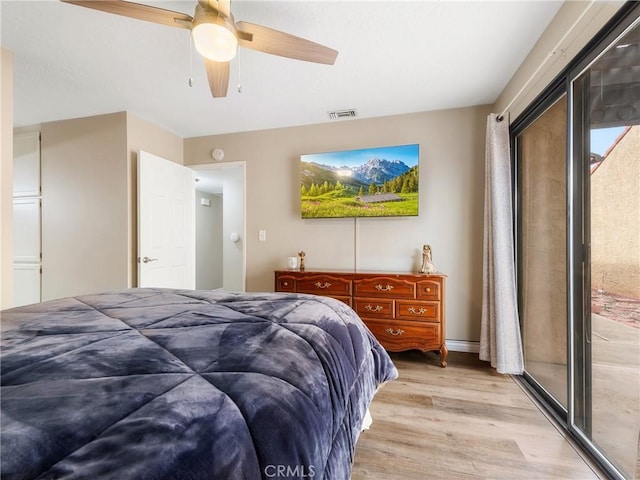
{"x": 398, "y": 336}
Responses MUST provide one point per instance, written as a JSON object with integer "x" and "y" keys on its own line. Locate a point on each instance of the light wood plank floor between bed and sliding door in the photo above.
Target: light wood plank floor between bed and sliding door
{"x": 460, "y": 422}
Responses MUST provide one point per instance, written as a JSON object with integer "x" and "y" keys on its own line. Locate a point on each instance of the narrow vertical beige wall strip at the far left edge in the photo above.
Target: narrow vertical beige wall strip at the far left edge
{"x": 6, "y": 179}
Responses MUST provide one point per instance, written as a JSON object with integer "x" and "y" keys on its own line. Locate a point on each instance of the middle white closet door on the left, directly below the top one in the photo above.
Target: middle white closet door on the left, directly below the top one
{"x": 26, "y": 230}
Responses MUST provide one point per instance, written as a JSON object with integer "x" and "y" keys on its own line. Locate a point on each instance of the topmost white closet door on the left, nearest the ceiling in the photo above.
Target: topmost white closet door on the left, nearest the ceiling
{"x": 26, "y": 164}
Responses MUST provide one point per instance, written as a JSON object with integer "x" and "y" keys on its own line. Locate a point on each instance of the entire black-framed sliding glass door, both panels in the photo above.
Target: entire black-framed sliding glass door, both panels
{"x": 577, "y": 196}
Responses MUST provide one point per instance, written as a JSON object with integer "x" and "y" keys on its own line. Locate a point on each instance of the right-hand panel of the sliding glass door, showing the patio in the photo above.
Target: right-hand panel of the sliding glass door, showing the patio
{"x": 606, "y": 157}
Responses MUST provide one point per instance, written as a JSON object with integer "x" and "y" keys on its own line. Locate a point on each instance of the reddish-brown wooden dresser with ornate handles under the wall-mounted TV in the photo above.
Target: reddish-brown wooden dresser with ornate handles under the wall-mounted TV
{"x": 403, "y": 310}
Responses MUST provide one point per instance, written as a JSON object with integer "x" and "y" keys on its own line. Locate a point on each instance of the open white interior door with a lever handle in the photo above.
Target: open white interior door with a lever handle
{"x": 166, "y": 223}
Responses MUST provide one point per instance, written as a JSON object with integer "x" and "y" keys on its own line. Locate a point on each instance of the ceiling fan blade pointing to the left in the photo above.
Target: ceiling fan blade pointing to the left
{"x": 136, "y": 10}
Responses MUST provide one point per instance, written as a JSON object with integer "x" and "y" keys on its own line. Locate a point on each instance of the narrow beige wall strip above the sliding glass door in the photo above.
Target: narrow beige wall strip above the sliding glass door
{"x": 561, "y": 37}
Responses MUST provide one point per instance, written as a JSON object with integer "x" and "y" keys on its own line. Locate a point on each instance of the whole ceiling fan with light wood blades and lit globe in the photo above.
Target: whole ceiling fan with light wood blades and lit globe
{"x": 216, "y": 35}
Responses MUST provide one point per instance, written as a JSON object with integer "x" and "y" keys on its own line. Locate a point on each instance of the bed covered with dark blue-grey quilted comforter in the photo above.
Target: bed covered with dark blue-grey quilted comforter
{"x": 184, "y": 384}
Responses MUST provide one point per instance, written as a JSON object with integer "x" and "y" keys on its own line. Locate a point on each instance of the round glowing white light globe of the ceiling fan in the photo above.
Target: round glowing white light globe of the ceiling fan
{"x": 214, "y": 38}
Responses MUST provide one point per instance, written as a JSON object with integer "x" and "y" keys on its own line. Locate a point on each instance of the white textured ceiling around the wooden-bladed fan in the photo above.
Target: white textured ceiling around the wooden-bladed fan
{"x": 394, "y": 57}
